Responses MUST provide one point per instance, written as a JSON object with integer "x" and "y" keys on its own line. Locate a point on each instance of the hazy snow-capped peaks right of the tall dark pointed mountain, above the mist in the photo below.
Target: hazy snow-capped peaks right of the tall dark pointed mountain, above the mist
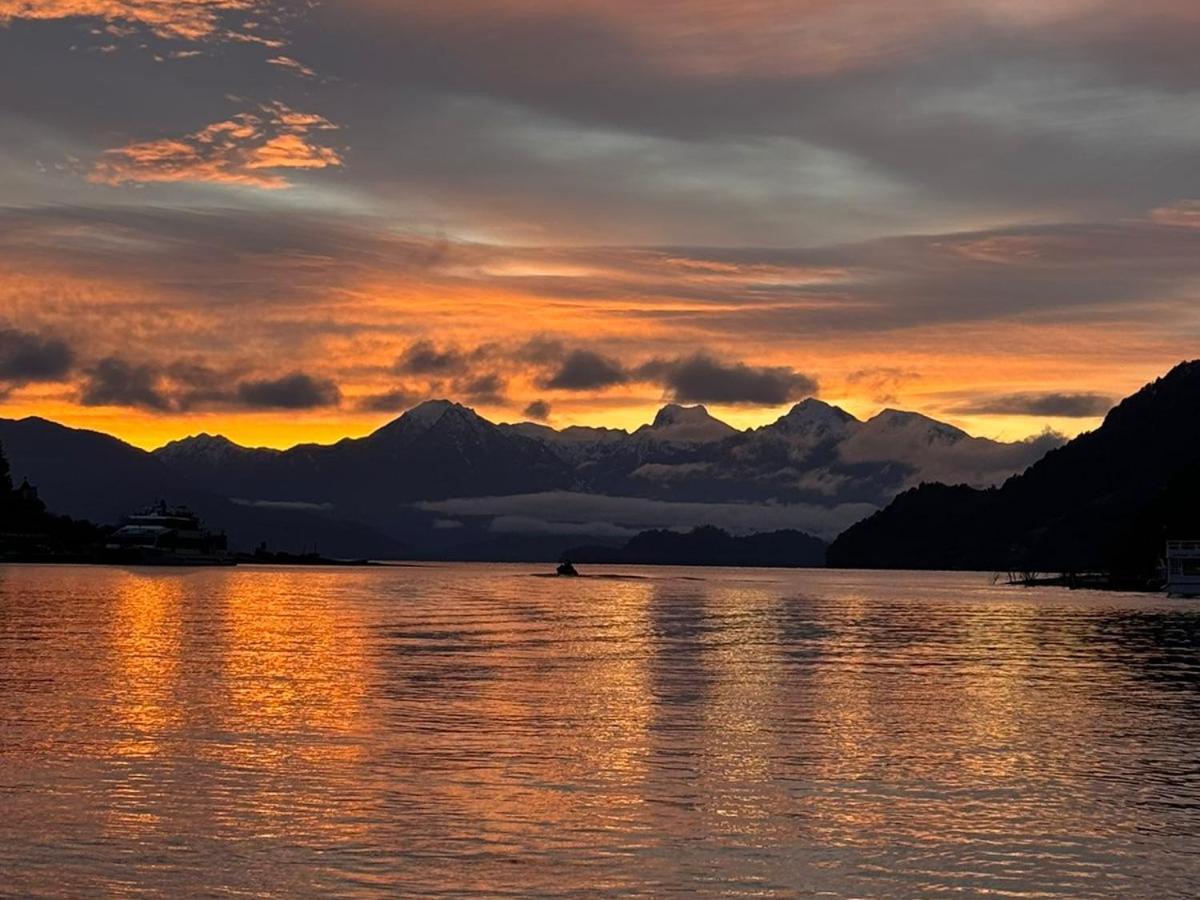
{"x": 817, "y": 454}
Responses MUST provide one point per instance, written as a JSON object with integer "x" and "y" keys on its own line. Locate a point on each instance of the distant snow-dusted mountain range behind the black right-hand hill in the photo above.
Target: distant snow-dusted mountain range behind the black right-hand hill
{"x": 443, "y": 482}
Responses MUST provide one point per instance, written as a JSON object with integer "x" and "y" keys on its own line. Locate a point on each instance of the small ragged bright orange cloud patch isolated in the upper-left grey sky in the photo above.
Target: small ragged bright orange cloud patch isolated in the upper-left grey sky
{"x": 247, "y": 149}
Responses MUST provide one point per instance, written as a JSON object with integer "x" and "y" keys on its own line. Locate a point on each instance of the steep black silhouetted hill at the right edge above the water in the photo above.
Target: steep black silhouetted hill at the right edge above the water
{"x": 1108, "y": 500}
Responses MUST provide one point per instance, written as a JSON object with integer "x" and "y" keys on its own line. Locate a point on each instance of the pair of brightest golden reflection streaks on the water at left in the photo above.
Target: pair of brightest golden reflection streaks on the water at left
{"x": 278, "y": 674}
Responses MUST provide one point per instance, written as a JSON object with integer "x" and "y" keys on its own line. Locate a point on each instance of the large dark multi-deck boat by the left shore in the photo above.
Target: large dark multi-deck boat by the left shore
{"x": 167, "y": 536}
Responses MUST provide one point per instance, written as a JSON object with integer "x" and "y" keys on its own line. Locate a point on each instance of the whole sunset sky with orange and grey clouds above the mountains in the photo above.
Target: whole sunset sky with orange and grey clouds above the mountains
{"x": 292, "y": 221}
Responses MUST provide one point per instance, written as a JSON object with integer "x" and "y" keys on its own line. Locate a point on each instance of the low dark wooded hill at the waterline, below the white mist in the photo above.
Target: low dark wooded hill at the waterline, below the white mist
{"x": 707, "y": 545}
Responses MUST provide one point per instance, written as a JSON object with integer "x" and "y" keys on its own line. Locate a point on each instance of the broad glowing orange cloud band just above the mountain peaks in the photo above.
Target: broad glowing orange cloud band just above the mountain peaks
{"x": 255, "y": 298}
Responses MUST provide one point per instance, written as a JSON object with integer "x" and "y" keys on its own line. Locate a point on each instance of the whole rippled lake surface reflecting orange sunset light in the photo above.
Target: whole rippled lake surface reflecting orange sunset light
{"x": 447, "y": 730}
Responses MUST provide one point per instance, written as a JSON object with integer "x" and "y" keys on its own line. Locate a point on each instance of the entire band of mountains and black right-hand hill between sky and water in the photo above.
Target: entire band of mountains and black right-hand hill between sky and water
{"x": 898, "y": 490}
